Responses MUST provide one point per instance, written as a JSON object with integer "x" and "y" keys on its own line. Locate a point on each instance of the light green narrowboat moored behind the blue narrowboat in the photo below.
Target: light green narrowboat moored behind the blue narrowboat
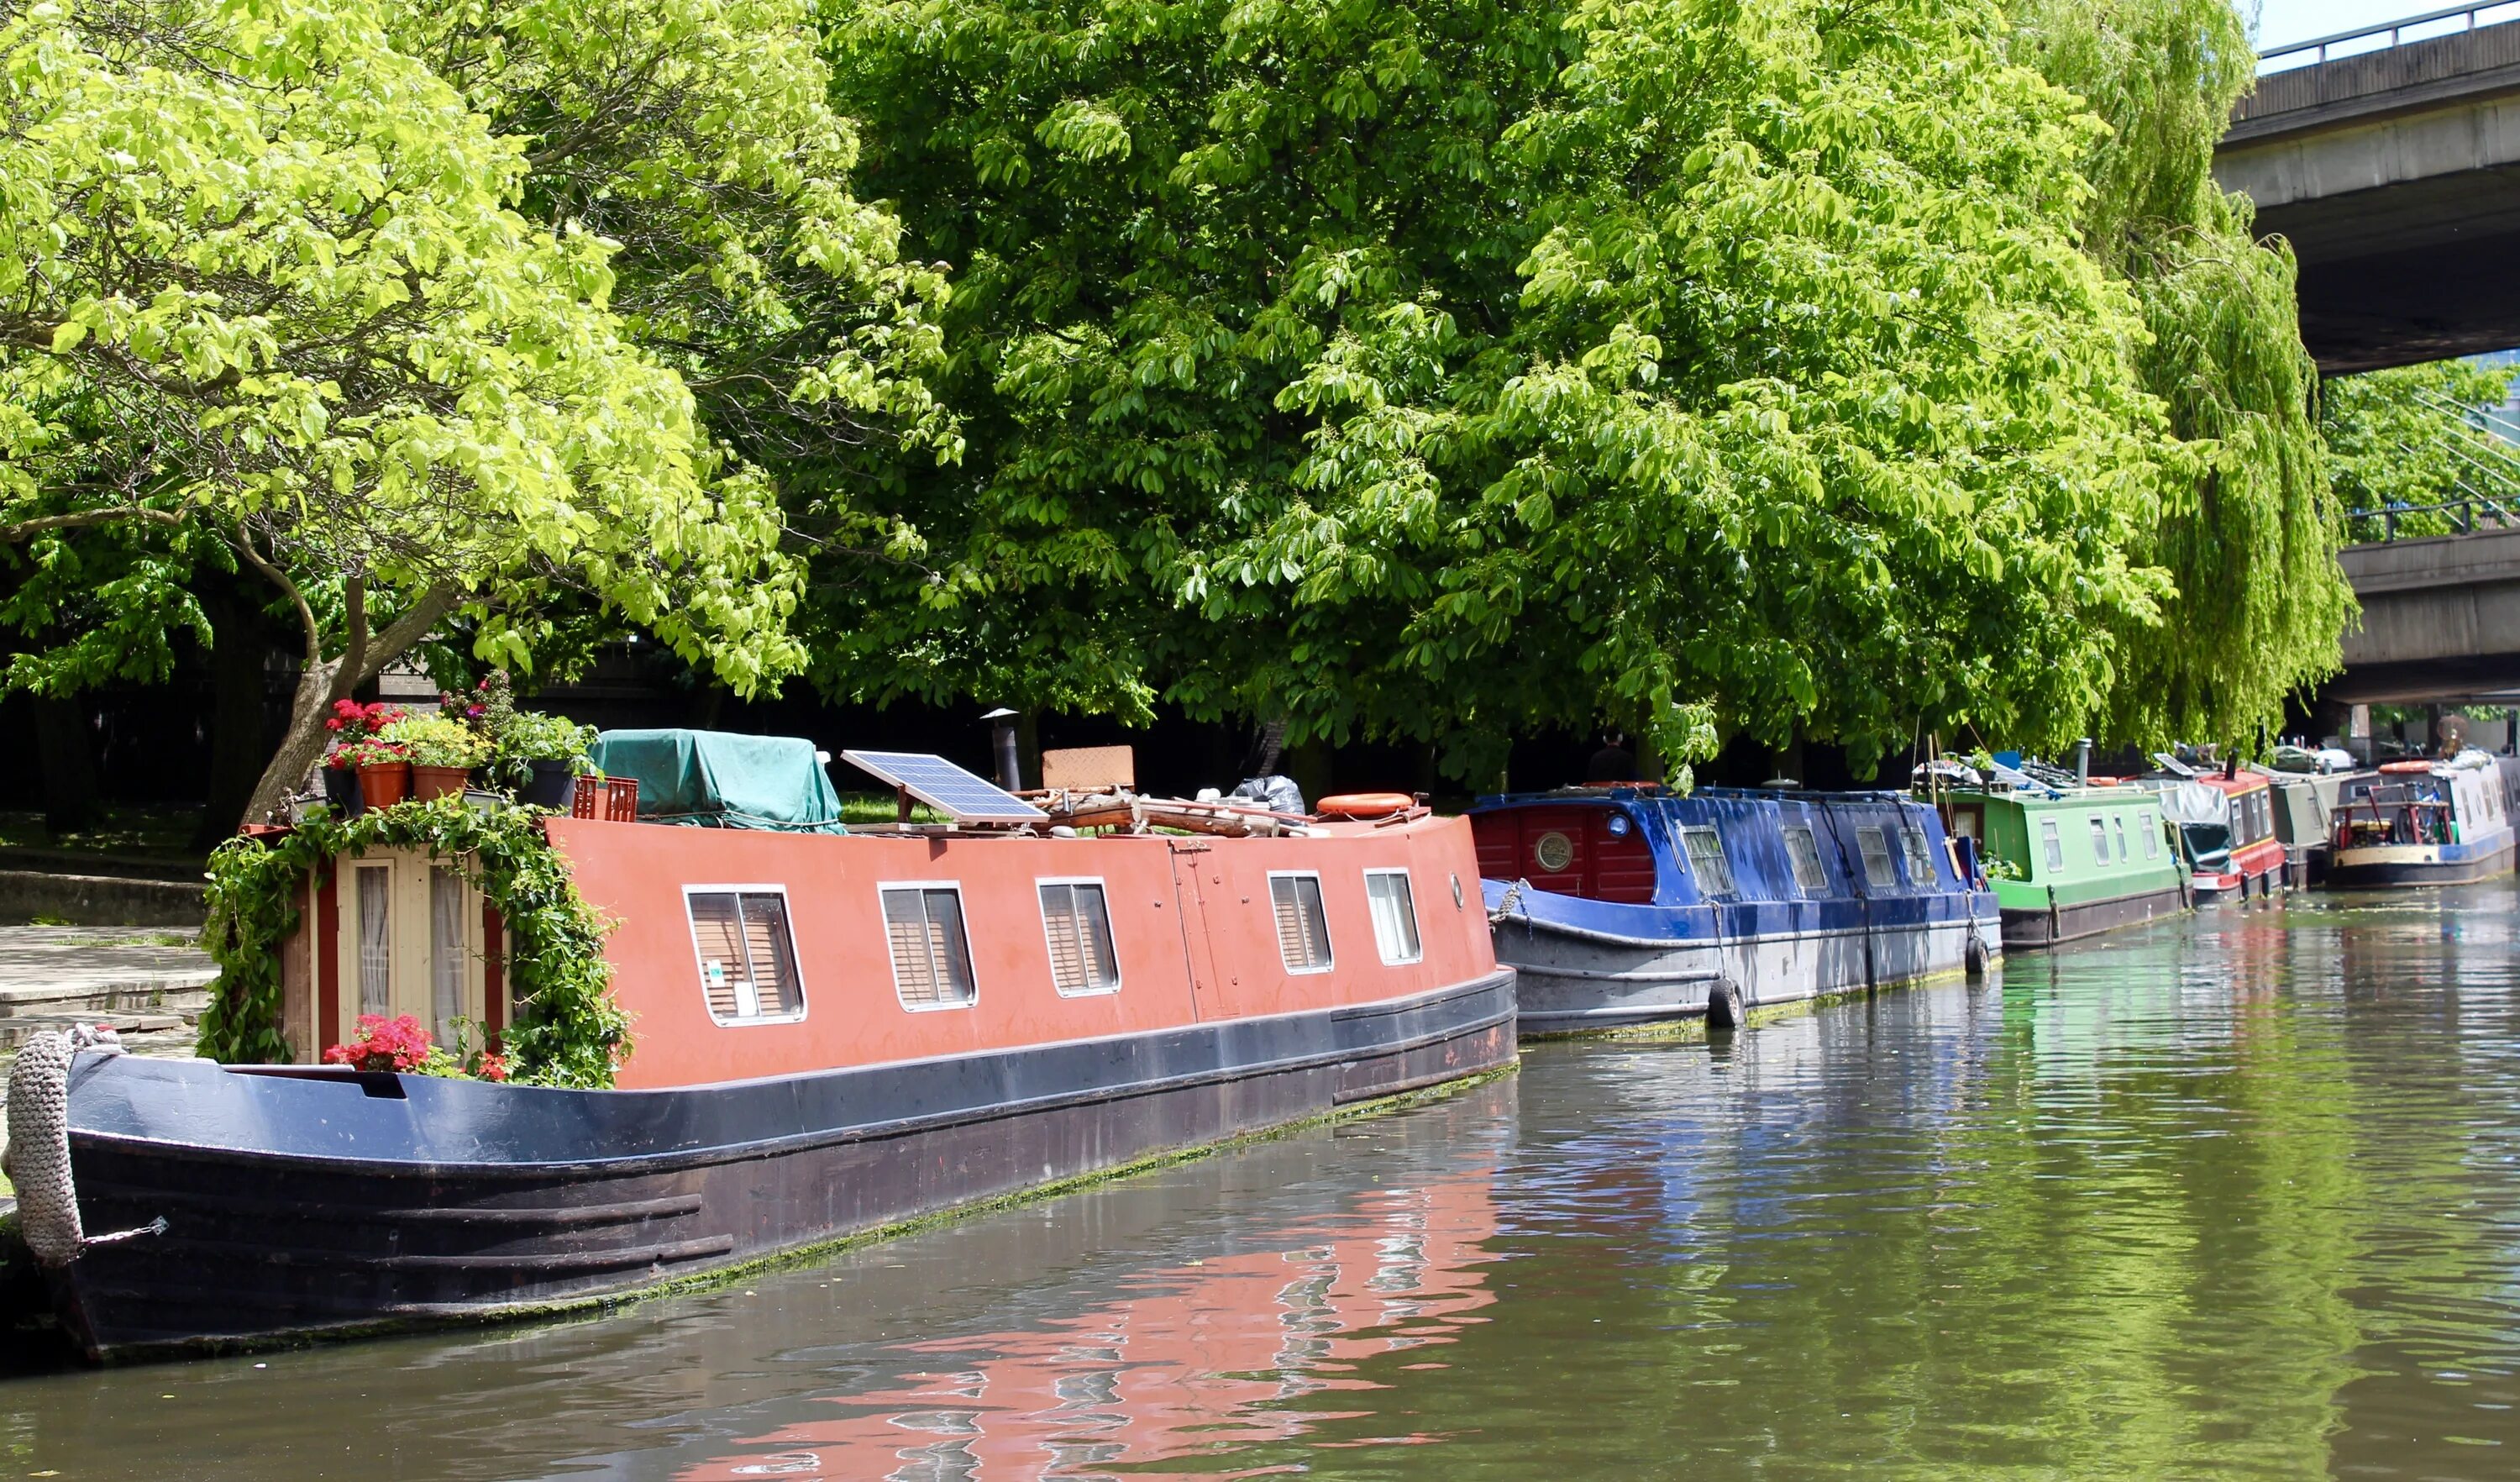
{"x": 2068, "y": 863}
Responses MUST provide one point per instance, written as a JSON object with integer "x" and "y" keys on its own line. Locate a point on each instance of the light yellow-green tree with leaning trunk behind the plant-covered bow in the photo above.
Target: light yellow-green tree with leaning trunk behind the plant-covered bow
{"x": 263, "y": 286}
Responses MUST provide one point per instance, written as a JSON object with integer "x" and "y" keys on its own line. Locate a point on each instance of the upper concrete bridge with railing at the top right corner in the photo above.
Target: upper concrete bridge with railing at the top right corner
{"x": 2390, "y": 158}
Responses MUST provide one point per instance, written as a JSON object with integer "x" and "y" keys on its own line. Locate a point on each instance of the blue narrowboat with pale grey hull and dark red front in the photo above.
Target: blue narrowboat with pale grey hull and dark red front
{"x": 1637, "y": 906}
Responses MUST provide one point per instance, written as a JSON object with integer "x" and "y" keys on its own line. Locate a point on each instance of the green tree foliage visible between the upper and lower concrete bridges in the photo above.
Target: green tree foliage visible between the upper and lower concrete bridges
{"x": 2410, "y": 440}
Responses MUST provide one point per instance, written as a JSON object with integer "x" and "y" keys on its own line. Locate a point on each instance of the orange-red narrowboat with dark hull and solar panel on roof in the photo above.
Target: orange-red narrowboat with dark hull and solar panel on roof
{"x": 833, "y": 1032}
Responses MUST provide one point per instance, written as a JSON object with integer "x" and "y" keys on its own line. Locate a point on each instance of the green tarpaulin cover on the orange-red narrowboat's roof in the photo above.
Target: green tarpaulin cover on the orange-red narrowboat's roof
{"x": 724, "y": 783}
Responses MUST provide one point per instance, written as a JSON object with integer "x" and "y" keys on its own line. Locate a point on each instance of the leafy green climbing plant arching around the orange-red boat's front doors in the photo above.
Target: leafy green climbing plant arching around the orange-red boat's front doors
{"x": 566, "y": 1030}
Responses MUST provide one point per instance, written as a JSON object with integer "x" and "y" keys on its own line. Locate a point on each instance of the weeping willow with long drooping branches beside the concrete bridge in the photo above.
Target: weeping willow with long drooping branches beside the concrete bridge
{"x": 2247, "y": 531}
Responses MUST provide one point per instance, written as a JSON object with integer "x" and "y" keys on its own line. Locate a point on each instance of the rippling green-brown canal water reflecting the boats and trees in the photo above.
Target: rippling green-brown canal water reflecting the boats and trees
{"x": 2221, "y": 1198}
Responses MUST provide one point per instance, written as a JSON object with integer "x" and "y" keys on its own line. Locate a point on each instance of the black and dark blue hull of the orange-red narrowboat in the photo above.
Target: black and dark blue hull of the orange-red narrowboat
{"x": 583, "y": 1196}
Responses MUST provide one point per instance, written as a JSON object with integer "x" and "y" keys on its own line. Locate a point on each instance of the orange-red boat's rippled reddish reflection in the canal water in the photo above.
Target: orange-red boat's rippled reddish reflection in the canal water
{"x": 1203, "y": 1355}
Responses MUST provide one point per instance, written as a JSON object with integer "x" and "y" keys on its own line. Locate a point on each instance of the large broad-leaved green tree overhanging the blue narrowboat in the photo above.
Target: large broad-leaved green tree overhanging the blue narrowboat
{"x": 1473, "y": 367}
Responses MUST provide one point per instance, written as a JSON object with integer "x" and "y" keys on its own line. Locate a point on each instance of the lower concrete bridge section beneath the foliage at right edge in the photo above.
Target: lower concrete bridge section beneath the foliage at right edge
{"x": 2441, "y": 614}
